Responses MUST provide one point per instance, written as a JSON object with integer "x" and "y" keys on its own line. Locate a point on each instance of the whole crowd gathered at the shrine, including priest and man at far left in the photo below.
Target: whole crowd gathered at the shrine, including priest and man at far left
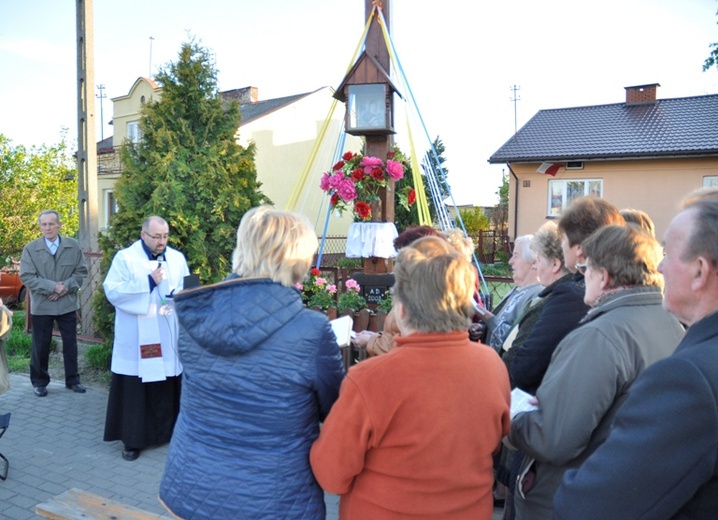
{"x": 611, "y": 337}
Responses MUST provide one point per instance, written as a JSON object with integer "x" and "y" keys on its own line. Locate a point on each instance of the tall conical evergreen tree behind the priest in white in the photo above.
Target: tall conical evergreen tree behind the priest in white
{"x": 187, "y": 168}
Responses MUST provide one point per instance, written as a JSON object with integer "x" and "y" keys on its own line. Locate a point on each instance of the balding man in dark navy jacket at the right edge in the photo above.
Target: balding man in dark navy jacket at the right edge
{"x": 660, "y": 459}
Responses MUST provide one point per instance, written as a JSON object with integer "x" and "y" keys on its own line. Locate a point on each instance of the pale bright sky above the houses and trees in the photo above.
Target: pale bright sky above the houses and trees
{"x": 461, "y": 60}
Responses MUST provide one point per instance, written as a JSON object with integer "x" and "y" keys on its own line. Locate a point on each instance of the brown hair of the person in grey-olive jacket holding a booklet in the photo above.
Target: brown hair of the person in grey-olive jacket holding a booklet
{"x": 629, "y": 255}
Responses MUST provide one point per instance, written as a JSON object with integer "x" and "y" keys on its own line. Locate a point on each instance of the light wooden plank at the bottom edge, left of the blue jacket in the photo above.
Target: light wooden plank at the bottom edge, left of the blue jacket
{"x": 76, "y": 504}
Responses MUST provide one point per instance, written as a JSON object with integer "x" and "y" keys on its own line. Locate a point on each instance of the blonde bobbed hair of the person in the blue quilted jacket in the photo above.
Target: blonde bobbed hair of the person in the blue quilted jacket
{"x": 274, "y": 244}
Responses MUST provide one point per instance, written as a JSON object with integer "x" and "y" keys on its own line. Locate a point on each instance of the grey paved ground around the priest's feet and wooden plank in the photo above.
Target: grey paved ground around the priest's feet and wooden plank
{"x": 54, "y": 443}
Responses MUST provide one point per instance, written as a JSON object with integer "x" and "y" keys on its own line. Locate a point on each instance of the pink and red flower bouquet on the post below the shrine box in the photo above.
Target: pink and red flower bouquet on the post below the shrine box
{"x": 355, "y": 181}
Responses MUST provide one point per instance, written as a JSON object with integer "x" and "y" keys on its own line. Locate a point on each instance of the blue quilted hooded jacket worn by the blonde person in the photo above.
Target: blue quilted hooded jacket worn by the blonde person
{"x": 260, "y": 372}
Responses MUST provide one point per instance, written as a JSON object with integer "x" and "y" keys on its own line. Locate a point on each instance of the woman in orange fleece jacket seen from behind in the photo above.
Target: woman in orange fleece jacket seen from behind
{"x": 413, "y": 431}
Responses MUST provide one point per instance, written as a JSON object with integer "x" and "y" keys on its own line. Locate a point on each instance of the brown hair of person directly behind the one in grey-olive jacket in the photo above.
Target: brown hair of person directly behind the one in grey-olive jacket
{"x": 585, "y": 215}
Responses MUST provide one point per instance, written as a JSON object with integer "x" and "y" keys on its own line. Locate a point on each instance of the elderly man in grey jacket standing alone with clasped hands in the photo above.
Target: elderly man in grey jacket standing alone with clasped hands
{"x": 53, "y": 268}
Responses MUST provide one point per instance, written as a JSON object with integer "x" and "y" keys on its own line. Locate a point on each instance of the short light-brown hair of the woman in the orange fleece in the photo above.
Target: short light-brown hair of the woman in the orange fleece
{"x": 435, "y": 284}
